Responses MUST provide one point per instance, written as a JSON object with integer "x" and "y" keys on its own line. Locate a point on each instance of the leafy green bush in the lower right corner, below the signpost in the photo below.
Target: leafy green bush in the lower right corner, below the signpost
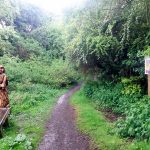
{"x": 137, "y": 121}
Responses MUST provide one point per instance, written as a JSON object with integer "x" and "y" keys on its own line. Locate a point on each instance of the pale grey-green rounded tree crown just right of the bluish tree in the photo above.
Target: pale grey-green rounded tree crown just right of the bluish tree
{"x": 50, "y": 38}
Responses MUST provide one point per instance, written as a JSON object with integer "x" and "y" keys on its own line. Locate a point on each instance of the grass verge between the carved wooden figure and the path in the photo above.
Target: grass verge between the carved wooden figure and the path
{"x": 31, "y": 107}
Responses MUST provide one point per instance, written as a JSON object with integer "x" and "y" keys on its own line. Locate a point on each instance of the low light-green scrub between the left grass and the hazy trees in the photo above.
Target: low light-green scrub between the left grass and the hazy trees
{"x": 56, "y": 74}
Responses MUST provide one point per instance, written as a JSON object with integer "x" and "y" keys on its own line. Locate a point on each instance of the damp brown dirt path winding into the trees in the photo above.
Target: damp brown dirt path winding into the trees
{"x": 61, "y": 132}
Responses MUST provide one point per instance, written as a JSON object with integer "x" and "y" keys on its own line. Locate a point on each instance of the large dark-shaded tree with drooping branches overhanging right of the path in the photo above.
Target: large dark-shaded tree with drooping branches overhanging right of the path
{"x": 111, "y": 36}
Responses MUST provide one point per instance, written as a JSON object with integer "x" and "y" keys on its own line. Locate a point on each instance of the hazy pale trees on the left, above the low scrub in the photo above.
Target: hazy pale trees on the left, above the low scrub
{"x": 23, "y": 35}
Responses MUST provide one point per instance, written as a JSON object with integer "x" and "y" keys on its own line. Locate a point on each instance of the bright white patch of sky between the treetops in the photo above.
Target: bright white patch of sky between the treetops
{"x": 55, "y": 6}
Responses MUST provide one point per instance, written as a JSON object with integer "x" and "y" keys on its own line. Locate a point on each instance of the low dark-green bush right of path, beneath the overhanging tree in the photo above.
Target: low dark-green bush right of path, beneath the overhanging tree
{"x": 109, "y": 96}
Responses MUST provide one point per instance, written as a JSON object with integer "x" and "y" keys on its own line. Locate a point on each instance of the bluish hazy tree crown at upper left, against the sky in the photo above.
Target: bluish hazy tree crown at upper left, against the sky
{"x": 25, "y": 22}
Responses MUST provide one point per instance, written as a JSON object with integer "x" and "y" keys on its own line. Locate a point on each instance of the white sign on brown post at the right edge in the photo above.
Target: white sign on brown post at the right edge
{"x": 147, "y": 71}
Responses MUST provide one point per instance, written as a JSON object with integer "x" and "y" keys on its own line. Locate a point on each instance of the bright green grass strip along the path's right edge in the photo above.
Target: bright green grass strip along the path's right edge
{"x": 92, "y": 122}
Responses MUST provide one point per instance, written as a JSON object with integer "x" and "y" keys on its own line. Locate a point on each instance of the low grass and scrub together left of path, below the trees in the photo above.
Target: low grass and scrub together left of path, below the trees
{"x": 34, "y": 86}
